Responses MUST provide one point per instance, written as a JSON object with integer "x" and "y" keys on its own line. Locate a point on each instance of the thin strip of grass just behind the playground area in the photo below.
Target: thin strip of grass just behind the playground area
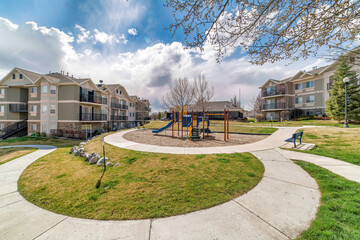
{"x": 219, "y": 126}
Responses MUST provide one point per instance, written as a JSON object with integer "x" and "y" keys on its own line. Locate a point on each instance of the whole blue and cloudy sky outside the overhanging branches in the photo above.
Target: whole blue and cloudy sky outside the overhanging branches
{"x": 123, "y": 42}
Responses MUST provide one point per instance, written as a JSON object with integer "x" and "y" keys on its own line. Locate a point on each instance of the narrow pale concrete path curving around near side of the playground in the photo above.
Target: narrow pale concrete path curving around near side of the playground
{"x": 273, "y": 141}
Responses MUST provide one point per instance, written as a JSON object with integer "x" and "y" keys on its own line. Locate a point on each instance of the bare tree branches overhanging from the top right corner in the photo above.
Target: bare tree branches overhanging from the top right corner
{"x": 270, "y": 30}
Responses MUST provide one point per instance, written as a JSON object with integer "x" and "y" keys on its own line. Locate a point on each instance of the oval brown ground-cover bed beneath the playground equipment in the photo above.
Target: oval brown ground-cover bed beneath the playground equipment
{"x": 213, "y": 140}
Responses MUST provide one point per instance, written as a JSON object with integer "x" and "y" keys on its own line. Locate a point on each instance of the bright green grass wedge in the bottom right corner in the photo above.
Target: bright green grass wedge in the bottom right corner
{"x": 339, "y": 214}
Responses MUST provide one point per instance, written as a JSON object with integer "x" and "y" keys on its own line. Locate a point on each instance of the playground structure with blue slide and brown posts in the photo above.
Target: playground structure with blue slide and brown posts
{"x": 190, "y": 123}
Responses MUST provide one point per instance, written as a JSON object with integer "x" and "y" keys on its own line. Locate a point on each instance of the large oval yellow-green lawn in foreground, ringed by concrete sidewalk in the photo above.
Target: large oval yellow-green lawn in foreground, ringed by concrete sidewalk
{"x": 144, "y": 185}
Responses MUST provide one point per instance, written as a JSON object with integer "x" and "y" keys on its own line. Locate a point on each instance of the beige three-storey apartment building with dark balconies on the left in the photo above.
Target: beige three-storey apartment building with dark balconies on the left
{"x": 60, "y": 104}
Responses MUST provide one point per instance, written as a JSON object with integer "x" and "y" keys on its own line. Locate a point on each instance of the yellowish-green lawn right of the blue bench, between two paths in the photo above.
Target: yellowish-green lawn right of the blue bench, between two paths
{"x": 339, "y": 143}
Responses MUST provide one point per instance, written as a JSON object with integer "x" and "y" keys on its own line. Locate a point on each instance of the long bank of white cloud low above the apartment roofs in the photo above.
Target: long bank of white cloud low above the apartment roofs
{"x": 146, "y": 72}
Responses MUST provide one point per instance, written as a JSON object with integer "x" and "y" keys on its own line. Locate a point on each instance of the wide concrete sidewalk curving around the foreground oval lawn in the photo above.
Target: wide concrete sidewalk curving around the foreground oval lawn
{"x": 281, "y": 206}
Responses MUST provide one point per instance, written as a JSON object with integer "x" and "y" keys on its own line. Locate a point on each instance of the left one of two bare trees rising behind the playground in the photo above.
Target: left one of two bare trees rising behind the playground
{"x": 181, "y": 94}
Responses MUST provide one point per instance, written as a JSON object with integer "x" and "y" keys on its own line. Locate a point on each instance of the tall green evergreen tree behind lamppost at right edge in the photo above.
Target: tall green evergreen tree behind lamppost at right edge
{"x": 335, "y": 105}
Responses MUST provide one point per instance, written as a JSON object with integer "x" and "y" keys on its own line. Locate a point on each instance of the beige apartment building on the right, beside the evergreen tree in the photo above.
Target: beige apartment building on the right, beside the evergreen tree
{"x": 306, "y": 90}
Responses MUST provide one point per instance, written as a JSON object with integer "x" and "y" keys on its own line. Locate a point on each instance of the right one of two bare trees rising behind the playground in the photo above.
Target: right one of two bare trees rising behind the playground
{"x": 203, "y": 92}
